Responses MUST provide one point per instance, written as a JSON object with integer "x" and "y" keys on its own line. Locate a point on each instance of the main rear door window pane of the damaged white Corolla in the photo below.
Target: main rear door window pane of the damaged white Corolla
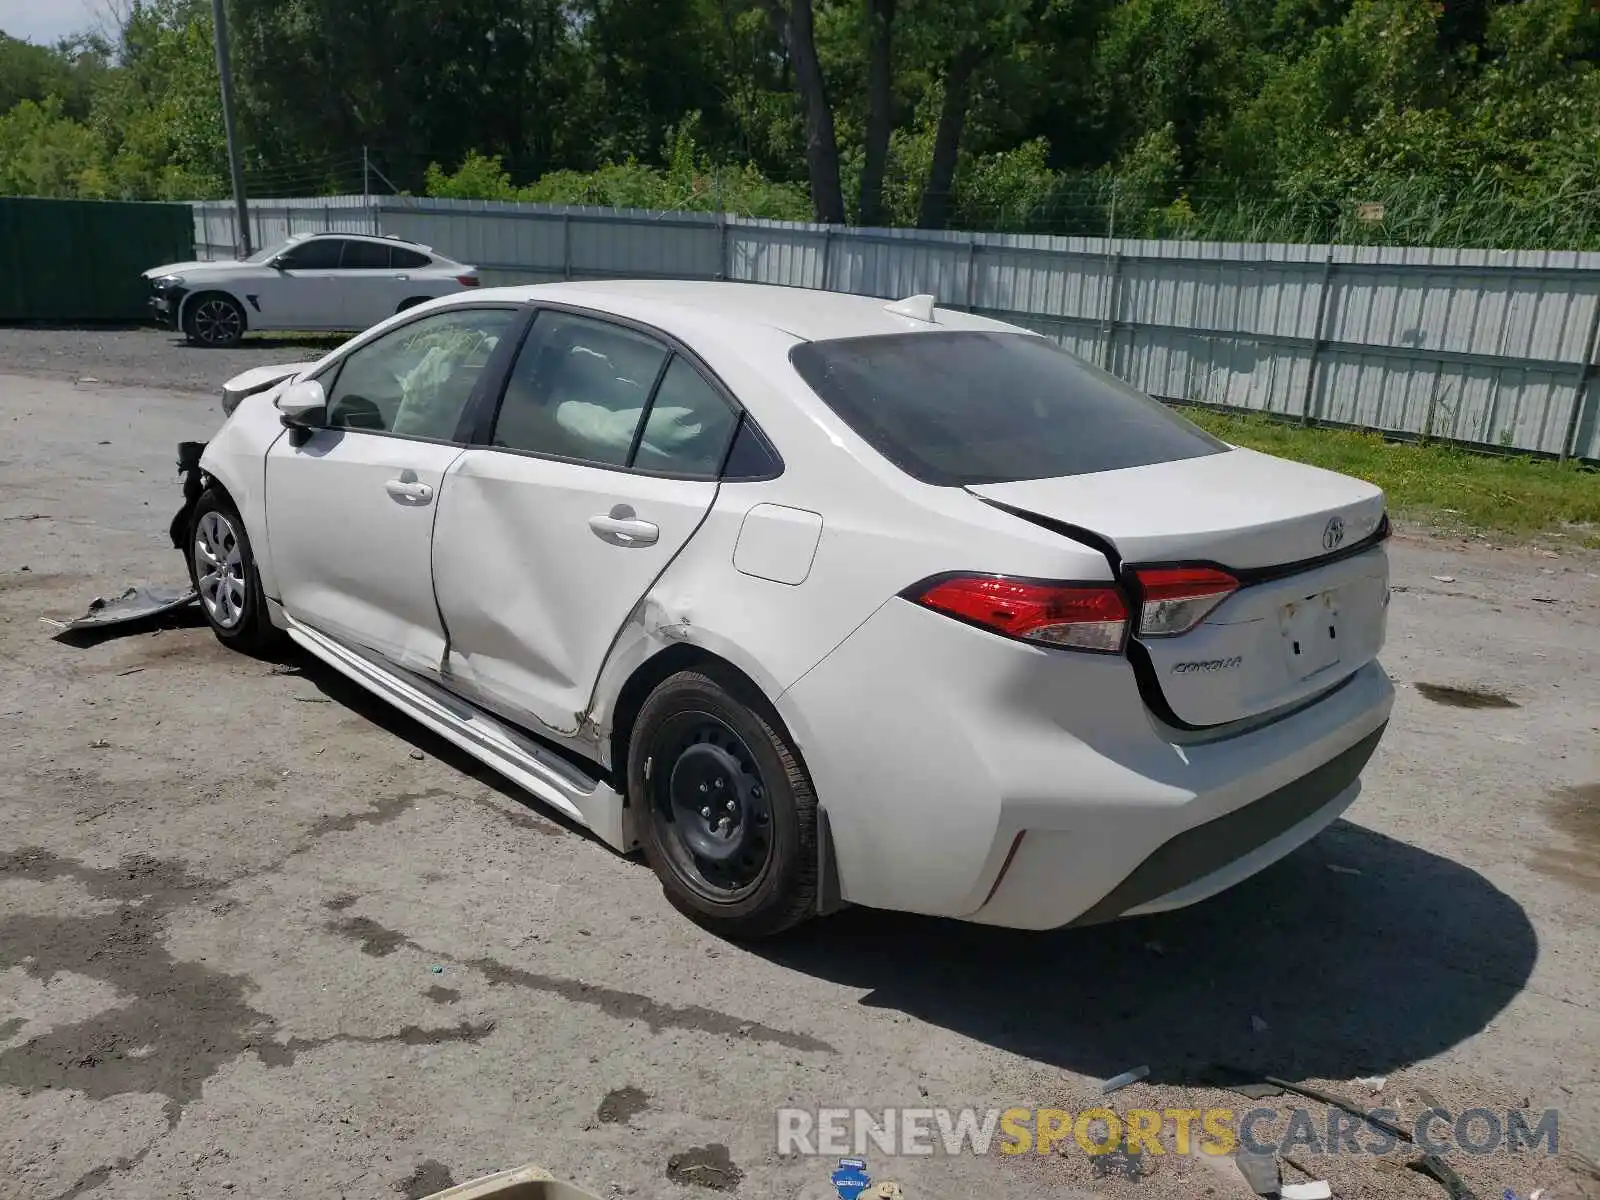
{"x": 578, "y": 390}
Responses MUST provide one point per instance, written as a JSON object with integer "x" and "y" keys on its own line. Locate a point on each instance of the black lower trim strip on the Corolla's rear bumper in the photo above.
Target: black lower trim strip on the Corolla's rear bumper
{"x": 1207, "y": 849}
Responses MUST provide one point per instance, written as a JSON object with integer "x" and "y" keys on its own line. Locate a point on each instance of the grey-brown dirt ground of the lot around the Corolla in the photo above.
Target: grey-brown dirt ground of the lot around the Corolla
{"x": 263, "y": 938}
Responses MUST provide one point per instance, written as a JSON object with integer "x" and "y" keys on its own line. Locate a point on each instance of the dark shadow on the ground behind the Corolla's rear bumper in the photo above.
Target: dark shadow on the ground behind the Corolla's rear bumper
{"x": 1354, "y": 975}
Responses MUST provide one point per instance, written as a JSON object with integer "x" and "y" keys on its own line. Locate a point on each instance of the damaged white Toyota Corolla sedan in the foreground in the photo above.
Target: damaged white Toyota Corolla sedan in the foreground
{"x": 815, "y": 599}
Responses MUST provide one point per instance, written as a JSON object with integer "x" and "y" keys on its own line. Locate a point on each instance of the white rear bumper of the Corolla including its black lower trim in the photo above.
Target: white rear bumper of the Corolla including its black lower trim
{"x": 972, "y": 777}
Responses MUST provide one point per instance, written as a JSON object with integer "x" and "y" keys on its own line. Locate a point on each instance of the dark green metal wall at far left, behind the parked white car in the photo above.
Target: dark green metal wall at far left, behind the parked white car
{"x": 81, "y": 260}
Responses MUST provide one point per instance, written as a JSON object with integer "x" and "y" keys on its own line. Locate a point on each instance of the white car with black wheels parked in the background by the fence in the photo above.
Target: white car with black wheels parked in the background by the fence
{"x": 313, "y": 282}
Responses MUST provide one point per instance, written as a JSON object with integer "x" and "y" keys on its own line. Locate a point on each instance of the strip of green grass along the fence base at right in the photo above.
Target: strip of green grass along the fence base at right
{"x": 1436, "y": 484}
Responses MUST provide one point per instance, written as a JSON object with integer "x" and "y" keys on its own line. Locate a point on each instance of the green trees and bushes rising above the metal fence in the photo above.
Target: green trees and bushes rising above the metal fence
{"x": 1420, "y": 122}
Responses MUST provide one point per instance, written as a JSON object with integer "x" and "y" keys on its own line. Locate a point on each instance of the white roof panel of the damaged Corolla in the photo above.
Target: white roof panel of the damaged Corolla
{"x": 682, "y": 306}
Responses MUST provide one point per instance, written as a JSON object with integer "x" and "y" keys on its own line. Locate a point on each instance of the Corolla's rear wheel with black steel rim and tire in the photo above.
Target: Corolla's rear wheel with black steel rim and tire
{"x": 727, "y": 810}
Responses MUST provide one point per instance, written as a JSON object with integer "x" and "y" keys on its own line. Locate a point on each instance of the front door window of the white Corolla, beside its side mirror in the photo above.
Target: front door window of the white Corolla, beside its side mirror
{"x": 417, "y": 380}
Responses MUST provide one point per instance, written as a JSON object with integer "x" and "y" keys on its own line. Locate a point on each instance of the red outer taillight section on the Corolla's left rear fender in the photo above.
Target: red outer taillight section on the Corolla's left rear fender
{"x": 1081, "y": 617}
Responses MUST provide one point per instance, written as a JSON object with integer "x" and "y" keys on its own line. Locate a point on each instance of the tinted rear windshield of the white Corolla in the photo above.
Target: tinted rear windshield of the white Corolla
{"x": 958, "y": 409}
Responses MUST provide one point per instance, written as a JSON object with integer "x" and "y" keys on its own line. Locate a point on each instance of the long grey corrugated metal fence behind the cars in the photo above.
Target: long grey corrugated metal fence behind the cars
{"x": 1478, "y": 346}
